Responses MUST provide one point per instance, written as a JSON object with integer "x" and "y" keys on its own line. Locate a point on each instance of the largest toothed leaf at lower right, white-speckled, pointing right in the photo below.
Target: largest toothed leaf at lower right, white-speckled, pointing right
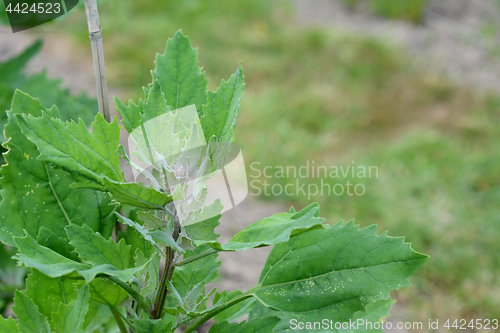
{"x": 335, "y": 272}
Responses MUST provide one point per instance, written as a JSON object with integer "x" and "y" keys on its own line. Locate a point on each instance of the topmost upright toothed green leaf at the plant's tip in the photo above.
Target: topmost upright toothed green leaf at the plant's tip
{"x": 179, "y": 76}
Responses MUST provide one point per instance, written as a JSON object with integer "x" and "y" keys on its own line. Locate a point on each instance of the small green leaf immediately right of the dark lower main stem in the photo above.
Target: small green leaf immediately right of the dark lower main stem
{"x": 204, "y": 270}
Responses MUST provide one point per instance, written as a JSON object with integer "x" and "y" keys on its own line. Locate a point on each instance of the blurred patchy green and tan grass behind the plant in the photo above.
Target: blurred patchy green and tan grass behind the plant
{"x": 316, "y": 94}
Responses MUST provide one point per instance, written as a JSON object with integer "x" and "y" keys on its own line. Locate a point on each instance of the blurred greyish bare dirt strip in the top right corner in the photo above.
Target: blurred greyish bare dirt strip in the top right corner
{"x": 459, "y": 39}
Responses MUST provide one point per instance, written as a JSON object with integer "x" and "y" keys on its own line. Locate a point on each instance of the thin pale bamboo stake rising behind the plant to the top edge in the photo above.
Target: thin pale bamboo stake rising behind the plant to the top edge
{"x": 95, "y": 34}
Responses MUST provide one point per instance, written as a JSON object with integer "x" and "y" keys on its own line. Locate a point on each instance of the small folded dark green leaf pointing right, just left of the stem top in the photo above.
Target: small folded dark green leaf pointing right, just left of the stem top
{"x": 137, "y": 195}
